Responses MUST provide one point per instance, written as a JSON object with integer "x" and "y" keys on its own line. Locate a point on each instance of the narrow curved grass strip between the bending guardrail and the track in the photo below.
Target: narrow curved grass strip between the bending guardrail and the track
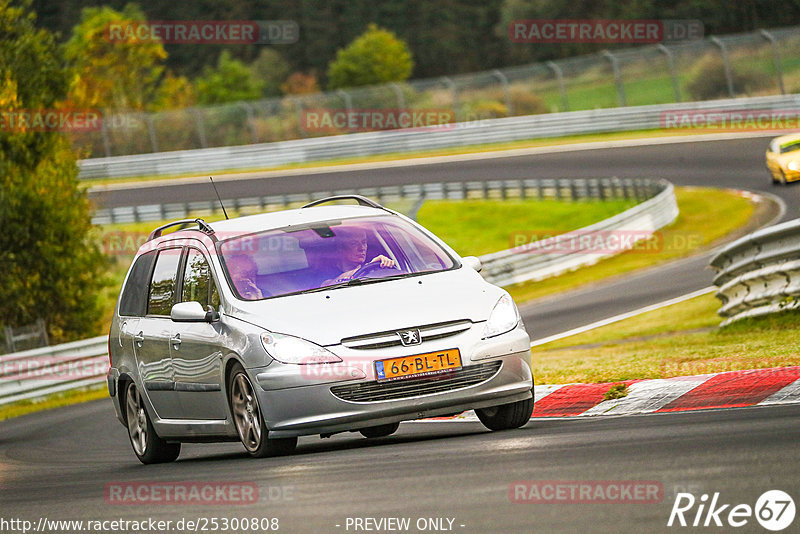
{"x": 706, "y": 215}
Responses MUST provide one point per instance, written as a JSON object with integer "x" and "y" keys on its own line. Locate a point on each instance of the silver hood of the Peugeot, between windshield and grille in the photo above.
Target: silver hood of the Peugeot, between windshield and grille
{"x": 325, "y": 317}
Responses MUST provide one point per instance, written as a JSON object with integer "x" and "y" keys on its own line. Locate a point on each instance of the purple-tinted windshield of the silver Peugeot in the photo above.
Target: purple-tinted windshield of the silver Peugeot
{"x": 329, "y": 253}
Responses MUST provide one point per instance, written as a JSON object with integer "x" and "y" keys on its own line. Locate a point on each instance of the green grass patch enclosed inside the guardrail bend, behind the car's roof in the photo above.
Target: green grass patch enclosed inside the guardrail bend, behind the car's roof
{"x": 477, "y": 227}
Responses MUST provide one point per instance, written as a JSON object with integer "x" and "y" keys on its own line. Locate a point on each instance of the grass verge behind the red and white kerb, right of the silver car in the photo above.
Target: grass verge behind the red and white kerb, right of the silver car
{"x": 678, "y": 340}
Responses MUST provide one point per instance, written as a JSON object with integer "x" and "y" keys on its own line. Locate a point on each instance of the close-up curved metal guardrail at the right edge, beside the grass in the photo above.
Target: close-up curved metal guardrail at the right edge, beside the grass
{"x": 759, "y": 273}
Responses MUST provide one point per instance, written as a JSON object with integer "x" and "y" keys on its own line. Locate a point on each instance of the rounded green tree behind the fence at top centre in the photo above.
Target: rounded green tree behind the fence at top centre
{"x": 377, "y": 56}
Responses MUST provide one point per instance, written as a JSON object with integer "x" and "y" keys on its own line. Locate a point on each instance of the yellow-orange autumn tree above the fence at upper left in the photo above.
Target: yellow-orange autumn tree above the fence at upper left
{"x": 111, "y": 73}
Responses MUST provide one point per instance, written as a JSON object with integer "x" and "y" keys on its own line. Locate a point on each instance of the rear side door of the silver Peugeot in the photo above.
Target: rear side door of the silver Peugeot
{"x": 151, "y": 341}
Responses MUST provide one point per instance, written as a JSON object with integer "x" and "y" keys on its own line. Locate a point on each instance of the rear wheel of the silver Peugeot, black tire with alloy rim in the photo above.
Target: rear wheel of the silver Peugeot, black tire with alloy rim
{"x": 147, "y": 446}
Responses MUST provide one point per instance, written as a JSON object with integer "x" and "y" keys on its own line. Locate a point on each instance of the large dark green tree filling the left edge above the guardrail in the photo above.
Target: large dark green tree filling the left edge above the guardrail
{"x": 50, "y": 267}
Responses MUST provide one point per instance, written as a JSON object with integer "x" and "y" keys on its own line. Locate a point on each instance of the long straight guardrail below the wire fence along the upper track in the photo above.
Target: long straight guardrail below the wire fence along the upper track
{"x": 259, "y": 156}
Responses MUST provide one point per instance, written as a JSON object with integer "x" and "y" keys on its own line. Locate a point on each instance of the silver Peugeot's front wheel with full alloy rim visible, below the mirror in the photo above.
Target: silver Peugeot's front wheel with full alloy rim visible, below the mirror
{"x": 249, "y": 421}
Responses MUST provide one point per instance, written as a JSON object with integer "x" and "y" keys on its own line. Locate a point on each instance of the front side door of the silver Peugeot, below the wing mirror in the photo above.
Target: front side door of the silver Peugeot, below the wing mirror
{"x": 197, "y": 348}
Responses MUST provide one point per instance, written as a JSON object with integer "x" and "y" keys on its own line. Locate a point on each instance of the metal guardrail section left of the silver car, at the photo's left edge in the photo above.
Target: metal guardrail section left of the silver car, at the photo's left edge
{"x": 38, "y": 372}
